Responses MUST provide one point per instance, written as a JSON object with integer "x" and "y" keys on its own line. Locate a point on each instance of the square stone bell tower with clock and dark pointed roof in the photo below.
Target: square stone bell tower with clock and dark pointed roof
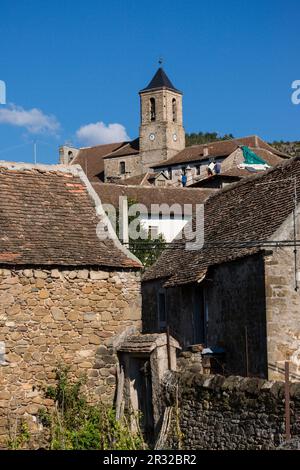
{"x": 161, "y": 130}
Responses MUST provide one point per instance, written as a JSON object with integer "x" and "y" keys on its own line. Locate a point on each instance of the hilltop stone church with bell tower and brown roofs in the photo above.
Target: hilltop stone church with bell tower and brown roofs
{"x": 160, "y": 147}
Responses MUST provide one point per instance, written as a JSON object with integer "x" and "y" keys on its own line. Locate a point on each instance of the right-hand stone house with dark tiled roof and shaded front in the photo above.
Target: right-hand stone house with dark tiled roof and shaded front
{"x": 237, "y": 296}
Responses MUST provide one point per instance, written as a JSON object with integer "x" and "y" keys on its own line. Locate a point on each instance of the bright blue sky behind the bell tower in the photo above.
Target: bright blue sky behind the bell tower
{"x": 69, "y": 64}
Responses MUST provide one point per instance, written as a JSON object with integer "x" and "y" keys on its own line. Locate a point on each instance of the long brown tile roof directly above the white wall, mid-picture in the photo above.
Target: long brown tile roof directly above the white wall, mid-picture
{"x": 109, "y": 194}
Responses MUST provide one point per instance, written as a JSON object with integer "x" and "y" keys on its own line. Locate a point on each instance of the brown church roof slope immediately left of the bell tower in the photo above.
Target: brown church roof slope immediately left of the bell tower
{"x": 91, "y": 158}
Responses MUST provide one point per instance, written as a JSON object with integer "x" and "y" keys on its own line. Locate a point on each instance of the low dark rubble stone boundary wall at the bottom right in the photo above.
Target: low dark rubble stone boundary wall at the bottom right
{"x": 232, "y": 413}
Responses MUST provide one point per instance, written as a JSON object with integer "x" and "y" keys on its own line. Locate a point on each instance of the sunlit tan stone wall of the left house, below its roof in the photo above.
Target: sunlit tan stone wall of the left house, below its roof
{"x": 51, "y": 316}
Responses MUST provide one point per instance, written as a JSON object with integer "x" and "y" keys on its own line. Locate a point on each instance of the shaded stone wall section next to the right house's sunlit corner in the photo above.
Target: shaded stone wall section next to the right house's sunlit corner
{"x": 236, "y": 307}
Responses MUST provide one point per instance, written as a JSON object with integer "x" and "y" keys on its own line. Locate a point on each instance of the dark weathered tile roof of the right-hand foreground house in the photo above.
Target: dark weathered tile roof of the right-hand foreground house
{"x": 237, "y": 220}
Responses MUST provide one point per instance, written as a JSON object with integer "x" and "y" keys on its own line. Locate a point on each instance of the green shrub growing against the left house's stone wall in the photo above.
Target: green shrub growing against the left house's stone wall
{"x": 74, "y": 424}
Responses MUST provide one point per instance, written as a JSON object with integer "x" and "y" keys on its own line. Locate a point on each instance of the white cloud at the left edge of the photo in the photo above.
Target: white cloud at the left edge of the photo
{"x": 34, "y": 120}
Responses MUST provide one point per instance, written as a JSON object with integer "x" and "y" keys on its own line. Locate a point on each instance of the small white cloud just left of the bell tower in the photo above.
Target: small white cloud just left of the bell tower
{"x": 98, "y": 133}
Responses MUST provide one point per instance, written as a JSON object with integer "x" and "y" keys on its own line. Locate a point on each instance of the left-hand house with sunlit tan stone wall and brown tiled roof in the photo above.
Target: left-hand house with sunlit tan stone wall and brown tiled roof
{"x": 69, "y": 291}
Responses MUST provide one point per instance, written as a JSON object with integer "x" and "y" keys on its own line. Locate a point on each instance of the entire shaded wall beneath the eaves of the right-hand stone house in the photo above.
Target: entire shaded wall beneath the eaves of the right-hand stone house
{"x": 218, "y": 313}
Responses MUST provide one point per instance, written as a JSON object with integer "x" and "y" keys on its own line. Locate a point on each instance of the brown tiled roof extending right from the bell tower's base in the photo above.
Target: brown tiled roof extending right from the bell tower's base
{"x": 222, "y": 148}
